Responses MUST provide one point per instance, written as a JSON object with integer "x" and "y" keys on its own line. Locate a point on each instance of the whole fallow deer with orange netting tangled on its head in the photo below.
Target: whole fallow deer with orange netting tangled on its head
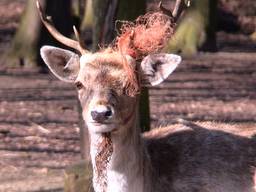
{"x": 184, "y": 158}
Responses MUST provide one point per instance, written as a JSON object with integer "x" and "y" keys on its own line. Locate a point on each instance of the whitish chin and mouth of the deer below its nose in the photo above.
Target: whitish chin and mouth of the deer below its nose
{"x": 99, "y": 128}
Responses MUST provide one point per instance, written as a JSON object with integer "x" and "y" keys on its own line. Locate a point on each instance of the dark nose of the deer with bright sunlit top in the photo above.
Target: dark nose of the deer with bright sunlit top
{"x": 101, "y": 113}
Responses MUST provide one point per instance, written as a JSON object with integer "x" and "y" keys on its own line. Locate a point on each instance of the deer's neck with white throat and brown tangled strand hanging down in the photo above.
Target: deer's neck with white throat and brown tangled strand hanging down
{"x": 122, "y": 170}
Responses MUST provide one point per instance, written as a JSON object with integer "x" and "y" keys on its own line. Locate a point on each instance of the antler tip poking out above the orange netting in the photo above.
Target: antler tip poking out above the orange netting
{"x": 178, "y": 8}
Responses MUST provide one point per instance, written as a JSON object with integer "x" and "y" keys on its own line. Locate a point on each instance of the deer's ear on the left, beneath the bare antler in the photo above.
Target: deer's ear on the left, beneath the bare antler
{"x": 63, "y": 64}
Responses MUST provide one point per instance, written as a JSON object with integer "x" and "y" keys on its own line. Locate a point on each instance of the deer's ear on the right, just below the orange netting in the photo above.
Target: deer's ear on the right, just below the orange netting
{"x": 156, "y": 68}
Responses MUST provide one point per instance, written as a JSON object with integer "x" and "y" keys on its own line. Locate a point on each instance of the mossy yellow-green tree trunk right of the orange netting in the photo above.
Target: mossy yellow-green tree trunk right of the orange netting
{"x": 196, "y": 30}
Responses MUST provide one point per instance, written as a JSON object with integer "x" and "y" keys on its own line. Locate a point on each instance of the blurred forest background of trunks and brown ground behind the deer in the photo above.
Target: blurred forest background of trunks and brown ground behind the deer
{"x": 39, "y": 119}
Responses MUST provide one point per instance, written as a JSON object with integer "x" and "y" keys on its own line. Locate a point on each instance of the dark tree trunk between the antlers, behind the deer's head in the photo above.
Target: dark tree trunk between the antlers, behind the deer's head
{"x": 106, "y": 12}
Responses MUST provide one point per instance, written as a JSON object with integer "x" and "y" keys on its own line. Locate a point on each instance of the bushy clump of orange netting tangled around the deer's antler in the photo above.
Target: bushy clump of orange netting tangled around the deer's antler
{"x": 148, "y": 34}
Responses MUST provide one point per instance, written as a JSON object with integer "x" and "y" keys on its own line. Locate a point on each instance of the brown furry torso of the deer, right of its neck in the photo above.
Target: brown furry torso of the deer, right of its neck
{"x": 195, "y": 158}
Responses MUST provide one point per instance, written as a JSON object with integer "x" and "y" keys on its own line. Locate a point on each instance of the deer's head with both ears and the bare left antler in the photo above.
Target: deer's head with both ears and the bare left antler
{"x": 107, "y": 81}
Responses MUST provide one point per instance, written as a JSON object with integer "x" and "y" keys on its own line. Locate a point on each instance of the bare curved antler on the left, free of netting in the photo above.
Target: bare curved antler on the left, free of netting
{"x": 78, "y": 45}
